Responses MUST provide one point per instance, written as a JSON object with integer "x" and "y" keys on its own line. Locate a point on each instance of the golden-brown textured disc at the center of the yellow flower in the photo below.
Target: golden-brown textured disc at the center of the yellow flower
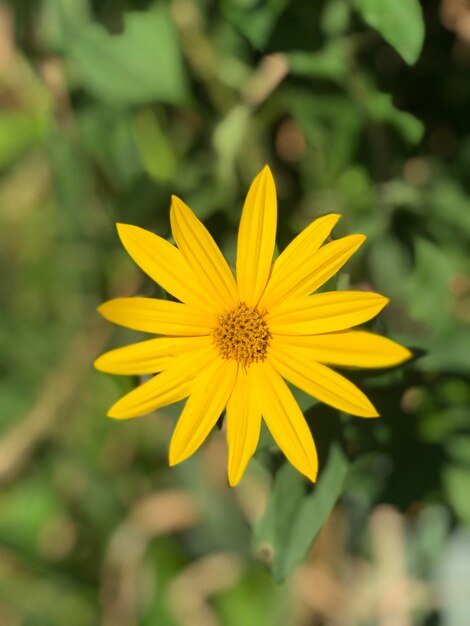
{"x": 243, "y": 335}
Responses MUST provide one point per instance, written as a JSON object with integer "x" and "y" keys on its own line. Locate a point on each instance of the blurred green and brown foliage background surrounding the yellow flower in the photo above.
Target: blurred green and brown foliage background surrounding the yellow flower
{"x": 106, "y": 108}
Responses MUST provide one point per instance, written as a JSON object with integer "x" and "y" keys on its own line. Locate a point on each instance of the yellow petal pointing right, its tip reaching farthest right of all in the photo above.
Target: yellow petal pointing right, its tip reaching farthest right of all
{"x": 350, "y": 348}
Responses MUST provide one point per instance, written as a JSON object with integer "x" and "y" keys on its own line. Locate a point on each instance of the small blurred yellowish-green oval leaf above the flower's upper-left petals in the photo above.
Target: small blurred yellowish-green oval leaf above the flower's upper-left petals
{"x": 156, "y": 152}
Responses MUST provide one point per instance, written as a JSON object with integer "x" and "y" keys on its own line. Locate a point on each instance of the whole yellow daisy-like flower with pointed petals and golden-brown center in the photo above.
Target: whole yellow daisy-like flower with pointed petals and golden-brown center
{"x": 229, "y": 344}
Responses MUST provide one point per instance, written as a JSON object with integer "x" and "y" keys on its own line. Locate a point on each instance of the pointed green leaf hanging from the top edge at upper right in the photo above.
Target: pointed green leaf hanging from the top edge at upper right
{"x": 400, "y": 22}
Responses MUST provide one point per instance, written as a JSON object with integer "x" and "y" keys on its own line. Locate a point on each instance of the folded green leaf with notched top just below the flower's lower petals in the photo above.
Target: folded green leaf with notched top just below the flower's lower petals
{"x": 294, "y": 517}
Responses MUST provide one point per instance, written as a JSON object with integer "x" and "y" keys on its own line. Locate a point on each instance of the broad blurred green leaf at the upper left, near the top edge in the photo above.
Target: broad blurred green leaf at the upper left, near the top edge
{"x": 141, "y": 65}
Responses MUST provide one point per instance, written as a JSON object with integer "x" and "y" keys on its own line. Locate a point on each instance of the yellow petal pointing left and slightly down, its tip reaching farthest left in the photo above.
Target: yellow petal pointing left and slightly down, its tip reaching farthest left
{"x": 148, "y": 357}
